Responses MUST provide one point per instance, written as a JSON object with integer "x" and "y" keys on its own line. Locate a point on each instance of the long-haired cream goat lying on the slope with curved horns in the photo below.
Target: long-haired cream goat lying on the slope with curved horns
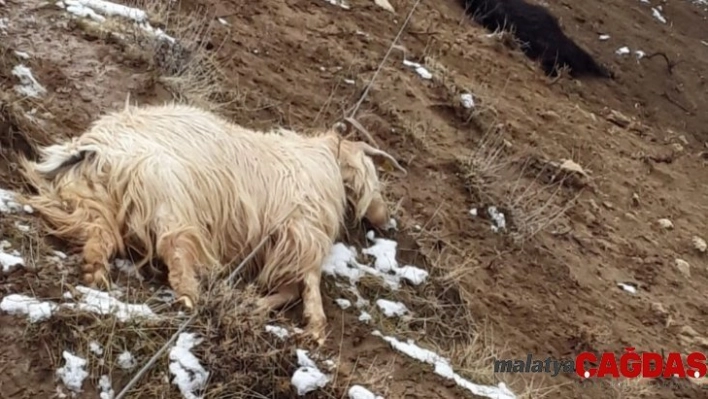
{"x": 197, "y": 191}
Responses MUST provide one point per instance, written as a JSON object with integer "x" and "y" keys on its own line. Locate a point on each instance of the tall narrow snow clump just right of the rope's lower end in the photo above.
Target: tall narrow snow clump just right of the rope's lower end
{"x": 190, "y": 375}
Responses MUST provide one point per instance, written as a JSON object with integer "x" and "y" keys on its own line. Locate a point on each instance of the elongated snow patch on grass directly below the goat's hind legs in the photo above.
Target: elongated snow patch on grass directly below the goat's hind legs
{"x": 103, "y": 303}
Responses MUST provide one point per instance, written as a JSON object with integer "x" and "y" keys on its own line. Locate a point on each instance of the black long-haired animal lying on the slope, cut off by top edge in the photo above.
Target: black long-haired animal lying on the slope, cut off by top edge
{"x": 539, "y": 33}
